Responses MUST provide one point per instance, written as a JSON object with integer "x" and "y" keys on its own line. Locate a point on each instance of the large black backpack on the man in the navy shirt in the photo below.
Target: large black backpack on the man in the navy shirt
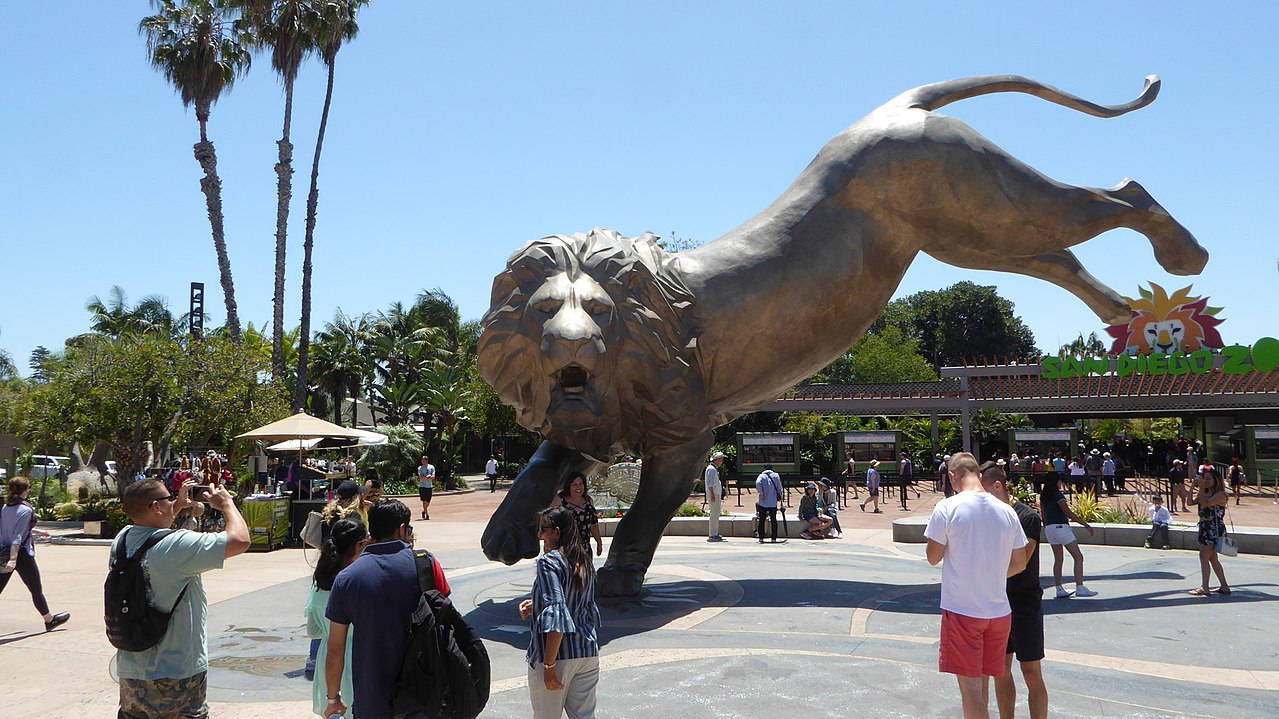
{"x": 446, "y": 668}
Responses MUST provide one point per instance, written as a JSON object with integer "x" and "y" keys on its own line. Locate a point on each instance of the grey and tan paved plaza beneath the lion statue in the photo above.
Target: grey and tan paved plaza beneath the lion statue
{"x": 836, "y": 629}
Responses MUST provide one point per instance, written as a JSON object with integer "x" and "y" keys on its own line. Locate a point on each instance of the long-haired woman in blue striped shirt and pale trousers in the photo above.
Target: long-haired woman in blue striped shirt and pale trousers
{"x": 563, "y": 652}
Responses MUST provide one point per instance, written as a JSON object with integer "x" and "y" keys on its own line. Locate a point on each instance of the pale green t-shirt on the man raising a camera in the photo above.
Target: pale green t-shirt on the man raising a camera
{"x": 177, "y": 562}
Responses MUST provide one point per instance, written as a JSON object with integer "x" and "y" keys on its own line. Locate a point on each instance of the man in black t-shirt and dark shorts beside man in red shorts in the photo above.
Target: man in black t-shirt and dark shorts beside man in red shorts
{"x": 1025, "y": 597}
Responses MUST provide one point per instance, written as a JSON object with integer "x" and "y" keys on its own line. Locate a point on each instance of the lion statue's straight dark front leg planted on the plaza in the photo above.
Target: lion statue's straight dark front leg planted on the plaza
{"x": 666, "y": 482}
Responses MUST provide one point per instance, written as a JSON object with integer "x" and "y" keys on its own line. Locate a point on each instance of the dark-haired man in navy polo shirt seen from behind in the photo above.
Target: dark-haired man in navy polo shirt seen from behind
{"x": 378, "y": 594}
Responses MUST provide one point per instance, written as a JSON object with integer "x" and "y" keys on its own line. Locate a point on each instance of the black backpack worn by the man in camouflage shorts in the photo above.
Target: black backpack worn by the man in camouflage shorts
{"x": 132, "y": 624}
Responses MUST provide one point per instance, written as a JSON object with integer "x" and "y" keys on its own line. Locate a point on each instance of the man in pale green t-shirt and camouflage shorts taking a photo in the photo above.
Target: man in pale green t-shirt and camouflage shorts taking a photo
{"x": 169, "y": 680}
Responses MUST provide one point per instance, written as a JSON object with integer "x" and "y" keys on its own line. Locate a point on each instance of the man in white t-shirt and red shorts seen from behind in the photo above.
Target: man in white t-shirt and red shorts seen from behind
{"x": 983, "y": 544}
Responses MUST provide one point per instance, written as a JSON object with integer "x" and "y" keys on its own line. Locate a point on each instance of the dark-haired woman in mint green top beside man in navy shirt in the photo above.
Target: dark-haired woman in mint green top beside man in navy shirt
{"x": 347, "y": 539}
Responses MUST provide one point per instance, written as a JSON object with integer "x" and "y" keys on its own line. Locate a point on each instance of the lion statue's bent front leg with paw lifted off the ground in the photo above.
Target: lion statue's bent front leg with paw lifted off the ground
{"x": 512, "y": 532}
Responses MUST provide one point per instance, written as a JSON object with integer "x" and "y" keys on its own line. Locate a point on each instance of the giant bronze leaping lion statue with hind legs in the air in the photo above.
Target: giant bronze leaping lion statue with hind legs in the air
{"x": 608, "y": 345}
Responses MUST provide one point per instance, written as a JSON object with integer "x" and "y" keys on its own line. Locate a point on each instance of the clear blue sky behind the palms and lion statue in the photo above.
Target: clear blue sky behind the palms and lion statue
{"x": 461, "y": 131}
